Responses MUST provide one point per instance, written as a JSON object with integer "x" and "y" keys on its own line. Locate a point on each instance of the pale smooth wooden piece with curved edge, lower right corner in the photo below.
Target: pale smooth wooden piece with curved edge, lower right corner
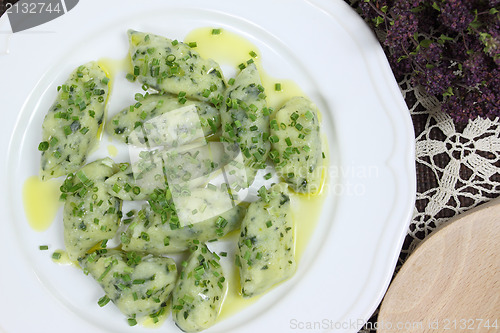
{"x": 451, "y": 282}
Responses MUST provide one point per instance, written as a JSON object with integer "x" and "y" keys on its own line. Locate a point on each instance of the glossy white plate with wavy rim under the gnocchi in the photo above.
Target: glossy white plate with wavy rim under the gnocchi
{"x": 320, "y": 44}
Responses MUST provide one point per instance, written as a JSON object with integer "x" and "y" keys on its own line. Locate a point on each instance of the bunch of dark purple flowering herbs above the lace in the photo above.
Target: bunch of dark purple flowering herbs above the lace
{"x": 449, "y": 47}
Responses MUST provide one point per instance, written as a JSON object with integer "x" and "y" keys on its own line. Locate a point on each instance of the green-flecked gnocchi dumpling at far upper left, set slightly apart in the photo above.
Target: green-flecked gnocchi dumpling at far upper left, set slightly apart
{"x": 69, "y": 130}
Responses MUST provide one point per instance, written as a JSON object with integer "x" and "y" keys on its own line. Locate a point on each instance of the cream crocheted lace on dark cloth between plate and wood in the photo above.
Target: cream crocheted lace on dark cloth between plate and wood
{"x": 458, "y": 167}
